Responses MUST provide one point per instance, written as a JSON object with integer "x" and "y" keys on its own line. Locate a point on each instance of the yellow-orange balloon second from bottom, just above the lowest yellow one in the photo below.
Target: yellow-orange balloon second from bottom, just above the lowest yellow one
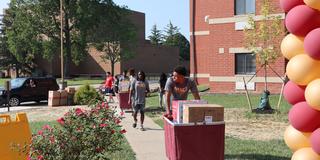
{"x": 296, "y": 139}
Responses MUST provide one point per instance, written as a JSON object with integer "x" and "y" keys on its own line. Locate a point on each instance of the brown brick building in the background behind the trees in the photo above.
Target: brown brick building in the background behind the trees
{"x": 151, "y": 59}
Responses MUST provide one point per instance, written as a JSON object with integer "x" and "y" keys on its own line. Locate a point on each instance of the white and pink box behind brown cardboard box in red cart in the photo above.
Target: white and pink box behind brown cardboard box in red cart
{"x": 178, "y": 106}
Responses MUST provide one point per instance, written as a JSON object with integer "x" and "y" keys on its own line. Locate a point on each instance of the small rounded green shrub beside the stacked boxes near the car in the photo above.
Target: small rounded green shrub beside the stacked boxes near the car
{"x": 85, "y": 94}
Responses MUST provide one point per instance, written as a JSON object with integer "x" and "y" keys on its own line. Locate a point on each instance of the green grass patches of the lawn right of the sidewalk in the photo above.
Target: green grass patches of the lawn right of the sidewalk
{"x": 237, "y": 148}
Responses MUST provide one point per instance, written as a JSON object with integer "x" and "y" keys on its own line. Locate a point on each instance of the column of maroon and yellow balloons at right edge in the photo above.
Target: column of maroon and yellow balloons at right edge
{"x": 302, "y": 48}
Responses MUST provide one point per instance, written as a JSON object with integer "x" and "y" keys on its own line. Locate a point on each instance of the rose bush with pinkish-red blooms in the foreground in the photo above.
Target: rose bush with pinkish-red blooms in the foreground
{"x": 82, "y": 135}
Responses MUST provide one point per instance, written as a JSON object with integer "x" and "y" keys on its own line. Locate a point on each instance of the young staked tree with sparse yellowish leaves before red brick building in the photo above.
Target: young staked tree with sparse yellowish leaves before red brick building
{"x": 263, "y": 37}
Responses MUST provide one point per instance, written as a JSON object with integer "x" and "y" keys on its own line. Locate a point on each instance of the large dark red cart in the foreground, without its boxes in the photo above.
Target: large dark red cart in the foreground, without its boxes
{"x": 190, "y": 141}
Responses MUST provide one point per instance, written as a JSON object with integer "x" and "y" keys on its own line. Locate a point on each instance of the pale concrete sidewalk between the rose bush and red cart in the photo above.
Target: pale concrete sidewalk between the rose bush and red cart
{"x": 148, "y": 144}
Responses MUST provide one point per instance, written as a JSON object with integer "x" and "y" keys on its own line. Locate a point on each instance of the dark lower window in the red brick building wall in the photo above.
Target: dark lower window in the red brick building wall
{"x": 245, "y": 63}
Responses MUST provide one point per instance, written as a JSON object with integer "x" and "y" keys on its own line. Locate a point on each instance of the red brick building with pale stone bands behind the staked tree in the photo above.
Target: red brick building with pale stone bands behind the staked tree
{"x": 218, "y": 56}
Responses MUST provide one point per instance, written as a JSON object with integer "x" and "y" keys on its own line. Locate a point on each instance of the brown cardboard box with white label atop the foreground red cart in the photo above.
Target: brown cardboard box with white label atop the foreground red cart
{"x": 202, "y": 113}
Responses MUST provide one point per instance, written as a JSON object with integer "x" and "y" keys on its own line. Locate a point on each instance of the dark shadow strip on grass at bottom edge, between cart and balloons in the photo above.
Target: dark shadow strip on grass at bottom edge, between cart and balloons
{"x": 254, "y": 157}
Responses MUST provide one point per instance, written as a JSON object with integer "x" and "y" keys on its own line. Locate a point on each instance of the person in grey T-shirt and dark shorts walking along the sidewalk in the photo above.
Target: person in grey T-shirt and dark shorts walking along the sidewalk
{"x": 139, "y": 87}
